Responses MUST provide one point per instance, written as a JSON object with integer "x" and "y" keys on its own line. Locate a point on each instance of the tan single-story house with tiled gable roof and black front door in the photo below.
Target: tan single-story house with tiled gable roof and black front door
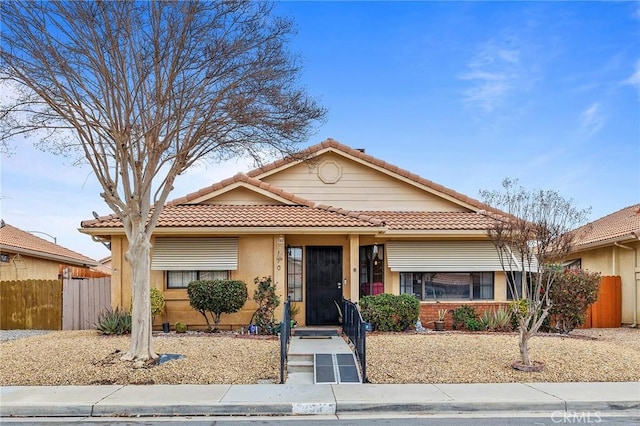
{"x": 340, "y": 223}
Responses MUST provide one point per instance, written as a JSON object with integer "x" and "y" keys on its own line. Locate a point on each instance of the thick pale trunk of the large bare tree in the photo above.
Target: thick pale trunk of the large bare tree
{"x": 141, "y": 347}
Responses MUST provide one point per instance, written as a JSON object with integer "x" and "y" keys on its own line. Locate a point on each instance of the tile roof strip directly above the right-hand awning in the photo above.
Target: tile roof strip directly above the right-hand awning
{"x": 428, "y": 221}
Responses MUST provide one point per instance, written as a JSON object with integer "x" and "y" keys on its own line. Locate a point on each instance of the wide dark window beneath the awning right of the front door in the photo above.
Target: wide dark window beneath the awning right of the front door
{"x": 448, "y": 285}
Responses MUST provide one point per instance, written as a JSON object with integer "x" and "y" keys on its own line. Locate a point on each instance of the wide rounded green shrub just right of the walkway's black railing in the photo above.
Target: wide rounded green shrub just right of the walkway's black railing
{"x": 388, "y": 312}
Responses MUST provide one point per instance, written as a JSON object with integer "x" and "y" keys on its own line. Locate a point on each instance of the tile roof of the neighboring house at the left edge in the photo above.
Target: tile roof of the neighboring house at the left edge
{"x": 15, "y": 239}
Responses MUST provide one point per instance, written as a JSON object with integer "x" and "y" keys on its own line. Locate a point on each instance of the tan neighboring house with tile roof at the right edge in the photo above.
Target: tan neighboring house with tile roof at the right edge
{"x": 611, "y": 245}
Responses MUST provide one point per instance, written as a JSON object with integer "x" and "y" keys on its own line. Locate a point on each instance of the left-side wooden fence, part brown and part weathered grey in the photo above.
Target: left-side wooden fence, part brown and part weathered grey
{"x": 68, "y": 304}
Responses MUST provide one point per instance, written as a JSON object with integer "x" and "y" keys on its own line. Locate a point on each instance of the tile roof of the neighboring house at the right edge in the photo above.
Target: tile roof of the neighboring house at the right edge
{"x": 613, "y": 227}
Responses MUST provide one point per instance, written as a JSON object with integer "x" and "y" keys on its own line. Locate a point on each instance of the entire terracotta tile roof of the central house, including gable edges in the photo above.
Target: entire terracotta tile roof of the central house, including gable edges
{"x": 186, "y": 212}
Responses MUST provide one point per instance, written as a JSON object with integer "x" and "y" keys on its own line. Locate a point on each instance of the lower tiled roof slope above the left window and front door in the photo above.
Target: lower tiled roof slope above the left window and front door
{"x": 223, "y": 216}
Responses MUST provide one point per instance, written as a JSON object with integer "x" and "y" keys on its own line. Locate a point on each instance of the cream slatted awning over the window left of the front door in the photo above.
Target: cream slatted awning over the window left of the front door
{"x": 195, "y": 254}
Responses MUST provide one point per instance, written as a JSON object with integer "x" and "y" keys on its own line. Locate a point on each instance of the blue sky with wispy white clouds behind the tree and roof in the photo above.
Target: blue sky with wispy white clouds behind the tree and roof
{"x": 461, "y": 93}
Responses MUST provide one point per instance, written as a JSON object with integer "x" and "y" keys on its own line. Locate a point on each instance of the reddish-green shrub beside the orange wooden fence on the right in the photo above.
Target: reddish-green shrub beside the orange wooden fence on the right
{"x": 571, "y": 294}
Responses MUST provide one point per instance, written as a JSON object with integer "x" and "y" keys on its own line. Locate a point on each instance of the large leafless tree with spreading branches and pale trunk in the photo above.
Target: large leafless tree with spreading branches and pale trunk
{"x": 146, "y": 89}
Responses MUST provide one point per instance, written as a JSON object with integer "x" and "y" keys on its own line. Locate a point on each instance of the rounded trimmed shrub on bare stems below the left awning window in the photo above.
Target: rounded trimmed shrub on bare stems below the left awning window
{"x": 216, "y": 297}
